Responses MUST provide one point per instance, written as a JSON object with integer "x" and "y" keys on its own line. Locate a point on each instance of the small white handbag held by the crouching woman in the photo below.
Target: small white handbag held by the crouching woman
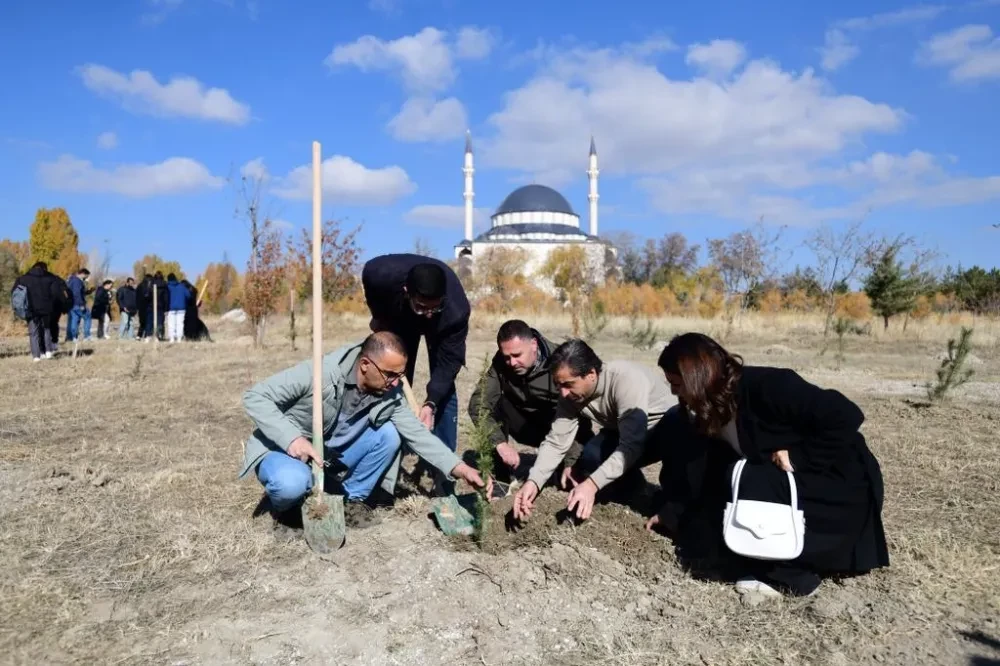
{"x": 763, "y": 530}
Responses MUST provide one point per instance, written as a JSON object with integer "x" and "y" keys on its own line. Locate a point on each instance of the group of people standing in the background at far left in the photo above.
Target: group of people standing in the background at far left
{"x": 49, "y": 297}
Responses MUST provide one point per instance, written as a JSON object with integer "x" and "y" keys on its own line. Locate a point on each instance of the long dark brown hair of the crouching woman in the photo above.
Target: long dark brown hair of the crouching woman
{"x": 710, "y": 376}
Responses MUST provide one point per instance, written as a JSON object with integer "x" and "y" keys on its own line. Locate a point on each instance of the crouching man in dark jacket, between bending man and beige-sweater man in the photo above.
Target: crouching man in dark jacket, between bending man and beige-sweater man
{"x": 517, "y": 400}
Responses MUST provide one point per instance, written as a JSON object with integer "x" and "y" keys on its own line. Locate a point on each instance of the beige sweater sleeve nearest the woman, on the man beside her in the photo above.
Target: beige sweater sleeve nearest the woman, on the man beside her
{"x": 632, "y": 398}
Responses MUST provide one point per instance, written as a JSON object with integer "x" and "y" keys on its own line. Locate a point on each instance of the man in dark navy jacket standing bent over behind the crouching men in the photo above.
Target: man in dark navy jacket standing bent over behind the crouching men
{"x": 415, "y": 296}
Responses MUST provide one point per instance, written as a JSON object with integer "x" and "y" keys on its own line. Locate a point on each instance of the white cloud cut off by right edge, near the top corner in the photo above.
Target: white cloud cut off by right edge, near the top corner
{"x": 971, "y": 52}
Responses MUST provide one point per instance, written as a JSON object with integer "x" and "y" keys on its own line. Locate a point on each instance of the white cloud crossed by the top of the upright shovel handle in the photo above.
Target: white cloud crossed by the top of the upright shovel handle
{"x": 347, "y": 182}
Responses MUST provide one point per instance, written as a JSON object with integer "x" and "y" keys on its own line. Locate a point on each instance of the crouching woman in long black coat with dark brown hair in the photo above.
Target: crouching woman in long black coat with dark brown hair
{"x": 779, "y": 422}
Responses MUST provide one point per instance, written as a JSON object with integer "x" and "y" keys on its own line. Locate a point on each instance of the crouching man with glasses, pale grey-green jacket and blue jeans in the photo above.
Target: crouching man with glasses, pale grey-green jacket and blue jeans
{"x": 365, "y": 418}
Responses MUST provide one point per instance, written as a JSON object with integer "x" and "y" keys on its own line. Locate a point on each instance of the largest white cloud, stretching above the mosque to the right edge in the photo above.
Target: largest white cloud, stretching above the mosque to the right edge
{"x": 767, "y": 142}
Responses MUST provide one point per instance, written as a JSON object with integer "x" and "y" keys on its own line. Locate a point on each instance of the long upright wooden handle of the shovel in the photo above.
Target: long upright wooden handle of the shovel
{"x": 317, "y": 320}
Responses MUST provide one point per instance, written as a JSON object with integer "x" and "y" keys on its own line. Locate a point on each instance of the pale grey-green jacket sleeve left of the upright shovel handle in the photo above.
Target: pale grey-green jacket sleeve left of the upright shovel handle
{"x": 267, "y": 401}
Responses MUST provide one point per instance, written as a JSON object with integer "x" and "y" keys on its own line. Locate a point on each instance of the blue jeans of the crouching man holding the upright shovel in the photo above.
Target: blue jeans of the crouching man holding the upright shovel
{"x": 287, "y": 480}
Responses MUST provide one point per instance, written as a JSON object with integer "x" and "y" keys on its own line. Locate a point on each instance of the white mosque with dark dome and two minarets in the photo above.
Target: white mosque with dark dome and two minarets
{"x": 536, "y": 218}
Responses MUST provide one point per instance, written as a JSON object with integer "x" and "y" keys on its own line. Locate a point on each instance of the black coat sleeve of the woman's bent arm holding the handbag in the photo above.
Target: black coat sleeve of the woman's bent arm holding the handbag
{"x": 825, "y": 421}
